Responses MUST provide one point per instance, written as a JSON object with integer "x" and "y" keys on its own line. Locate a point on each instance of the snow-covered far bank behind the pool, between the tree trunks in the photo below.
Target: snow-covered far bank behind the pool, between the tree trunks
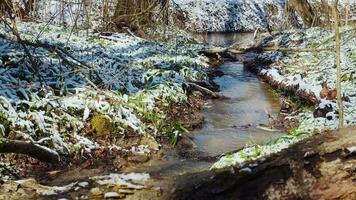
{"x": 241, "y": 15}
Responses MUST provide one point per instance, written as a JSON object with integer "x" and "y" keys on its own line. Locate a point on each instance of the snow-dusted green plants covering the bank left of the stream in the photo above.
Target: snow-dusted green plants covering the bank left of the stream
{"x": 55, "y": 100}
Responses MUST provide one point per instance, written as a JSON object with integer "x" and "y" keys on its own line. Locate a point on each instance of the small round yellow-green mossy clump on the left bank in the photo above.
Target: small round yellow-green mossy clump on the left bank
{"x": 102, "y": 124}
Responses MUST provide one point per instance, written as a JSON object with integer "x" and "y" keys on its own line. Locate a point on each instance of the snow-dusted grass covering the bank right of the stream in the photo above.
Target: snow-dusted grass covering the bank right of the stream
{"x": 307, "y": 71}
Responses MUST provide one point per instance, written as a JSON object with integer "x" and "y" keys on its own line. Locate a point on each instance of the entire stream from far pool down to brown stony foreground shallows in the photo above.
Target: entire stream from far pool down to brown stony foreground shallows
{"x": 229, "y": 125}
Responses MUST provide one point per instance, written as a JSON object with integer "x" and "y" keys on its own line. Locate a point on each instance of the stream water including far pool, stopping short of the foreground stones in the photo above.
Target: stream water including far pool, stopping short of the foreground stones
{"x": 230, "y": 124}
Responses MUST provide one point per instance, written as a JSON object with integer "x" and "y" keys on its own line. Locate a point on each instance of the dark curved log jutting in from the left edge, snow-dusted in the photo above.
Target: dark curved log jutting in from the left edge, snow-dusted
{"x": 31, "y": 149}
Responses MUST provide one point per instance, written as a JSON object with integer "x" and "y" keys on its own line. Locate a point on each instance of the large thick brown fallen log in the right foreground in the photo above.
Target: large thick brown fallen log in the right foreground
{"x": 320, "y": 167}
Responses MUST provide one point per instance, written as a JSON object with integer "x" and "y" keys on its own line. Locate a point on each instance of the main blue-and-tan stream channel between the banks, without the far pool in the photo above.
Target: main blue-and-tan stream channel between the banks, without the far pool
{"x": 232, "y": 123}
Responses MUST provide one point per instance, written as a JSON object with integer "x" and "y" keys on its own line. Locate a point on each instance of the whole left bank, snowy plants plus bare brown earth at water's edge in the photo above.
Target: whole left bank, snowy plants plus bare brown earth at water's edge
{"x": 70, "y": 104}
